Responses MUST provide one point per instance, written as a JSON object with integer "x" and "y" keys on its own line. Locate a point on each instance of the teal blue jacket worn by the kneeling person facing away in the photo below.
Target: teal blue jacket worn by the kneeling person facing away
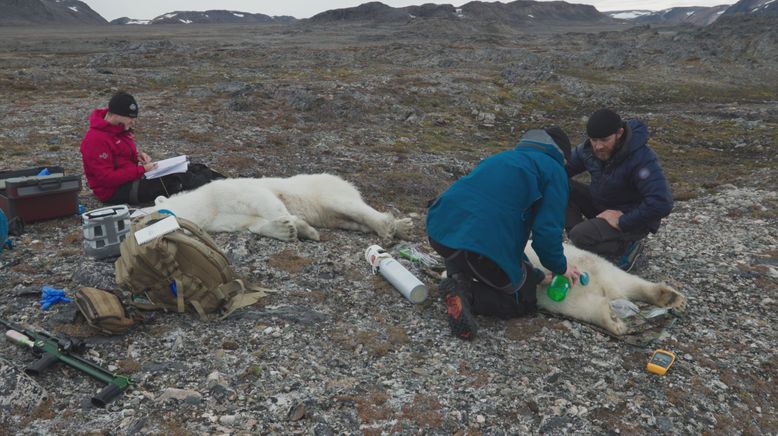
{"x": 492, "y": 210}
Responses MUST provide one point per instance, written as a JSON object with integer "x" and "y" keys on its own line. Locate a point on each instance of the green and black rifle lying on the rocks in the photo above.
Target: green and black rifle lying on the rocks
{"x": 53, "y": 349}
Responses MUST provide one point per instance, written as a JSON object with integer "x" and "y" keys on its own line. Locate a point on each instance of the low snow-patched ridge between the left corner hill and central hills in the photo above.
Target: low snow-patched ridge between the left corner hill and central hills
{"x": 206, "y": 17}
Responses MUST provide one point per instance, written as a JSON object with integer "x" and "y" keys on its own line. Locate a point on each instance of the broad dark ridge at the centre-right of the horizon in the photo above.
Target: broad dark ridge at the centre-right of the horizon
{"x": 513, "y": 13}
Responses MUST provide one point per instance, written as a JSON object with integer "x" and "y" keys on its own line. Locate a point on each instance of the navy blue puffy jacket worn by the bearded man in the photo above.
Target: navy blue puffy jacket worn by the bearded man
{"x": 631, "y": 181}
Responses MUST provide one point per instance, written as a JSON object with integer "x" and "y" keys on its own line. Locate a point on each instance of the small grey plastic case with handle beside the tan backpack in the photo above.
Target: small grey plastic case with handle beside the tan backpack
{"x": 105, "y": 229}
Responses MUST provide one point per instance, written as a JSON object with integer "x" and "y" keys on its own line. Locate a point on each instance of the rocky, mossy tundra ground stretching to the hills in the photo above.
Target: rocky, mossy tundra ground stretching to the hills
{"x": 402, "y": 112}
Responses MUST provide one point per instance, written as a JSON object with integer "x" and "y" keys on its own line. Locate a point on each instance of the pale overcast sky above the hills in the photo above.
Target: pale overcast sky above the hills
{"x": 147, "y": 9}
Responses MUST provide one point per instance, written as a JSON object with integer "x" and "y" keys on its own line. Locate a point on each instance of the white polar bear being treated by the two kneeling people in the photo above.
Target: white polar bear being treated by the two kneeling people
{"x": 591, "y": 303}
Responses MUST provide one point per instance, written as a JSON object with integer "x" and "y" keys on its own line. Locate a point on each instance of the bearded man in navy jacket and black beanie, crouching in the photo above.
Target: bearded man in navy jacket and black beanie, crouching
{"x": 628, "y": 195}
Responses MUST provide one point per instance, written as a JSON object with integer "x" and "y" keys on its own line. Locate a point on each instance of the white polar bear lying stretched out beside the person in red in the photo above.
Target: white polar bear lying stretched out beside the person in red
{"x": 282, "y": 208}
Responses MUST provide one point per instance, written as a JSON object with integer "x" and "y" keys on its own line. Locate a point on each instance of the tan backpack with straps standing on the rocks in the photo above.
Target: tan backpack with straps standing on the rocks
{"x": 181, "y": 270}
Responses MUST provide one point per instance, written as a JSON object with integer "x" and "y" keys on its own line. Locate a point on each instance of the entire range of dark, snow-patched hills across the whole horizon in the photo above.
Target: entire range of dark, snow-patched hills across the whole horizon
{"x": 513, "y": 14}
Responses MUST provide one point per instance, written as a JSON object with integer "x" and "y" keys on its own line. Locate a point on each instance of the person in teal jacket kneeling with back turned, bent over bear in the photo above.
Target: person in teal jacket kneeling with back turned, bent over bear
{"x": 482, "y": 223}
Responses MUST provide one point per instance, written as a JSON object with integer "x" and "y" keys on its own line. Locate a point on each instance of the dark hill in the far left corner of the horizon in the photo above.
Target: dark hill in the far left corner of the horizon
{"x": 57, "y": 12}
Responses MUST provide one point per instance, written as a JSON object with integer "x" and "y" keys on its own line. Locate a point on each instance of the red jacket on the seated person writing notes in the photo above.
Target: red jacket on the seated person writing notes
{"x": 109, "y": 155}
